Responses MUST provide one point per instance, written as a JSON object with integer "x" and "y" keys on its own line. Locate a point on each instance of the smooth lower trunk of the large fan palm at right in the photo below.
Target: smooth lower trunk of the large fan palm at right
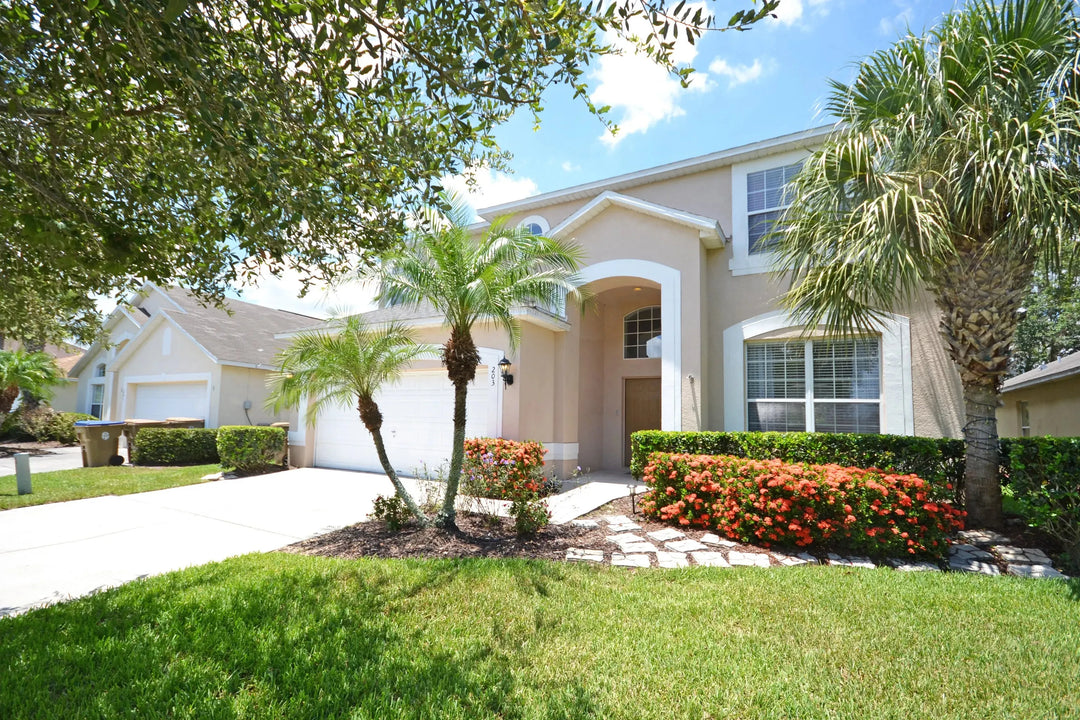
{"x": 982, "y": 484}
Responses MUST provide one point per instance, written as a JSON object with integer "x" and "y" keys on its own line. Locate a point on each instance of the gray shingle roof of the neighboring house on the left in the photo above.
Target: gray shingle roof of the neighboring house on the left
{"x": 246, "y": 335}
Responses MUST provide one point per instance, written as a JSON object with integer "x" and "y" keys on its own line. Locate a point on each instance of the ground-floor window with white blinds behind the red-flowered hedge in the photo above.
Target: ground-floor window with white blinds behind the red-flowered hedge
{"x": 815, "y": 386}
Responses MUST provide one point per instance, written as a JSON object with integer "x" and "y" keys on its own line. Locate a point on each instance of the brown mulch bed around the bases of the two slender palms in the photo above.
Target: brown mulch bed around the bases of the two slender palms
{"x": 478, "y": 536}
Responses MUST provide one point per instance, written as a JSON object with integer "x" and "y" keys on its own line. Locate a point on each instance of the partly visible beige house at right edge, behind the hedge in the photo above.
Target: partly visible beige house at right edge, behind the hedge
{"x": 1043, "y": 402}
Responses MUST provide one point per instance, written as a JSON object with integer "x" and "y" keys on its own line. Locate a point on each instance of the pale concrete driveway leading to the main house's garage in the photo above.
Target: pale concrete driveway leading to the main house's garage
{"x": 56, "y": 552}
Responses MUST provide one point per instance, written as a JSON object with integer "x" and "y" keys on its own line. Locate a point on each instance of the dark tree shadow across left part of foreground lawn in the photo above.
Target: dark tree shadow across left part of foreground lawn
{"x": 233, "y": 641}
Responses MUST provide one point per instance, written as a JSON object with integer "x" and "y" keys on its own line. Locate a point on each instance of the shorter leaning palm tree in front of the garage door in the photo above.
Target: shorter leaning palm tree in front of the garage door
{"x": 346, "y": 365}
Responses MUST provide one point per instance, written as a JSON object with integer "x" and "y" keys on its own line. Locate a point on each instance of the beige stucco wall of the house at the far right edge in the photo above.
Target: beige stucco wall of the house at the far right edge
{"x": 1054, "y": 410}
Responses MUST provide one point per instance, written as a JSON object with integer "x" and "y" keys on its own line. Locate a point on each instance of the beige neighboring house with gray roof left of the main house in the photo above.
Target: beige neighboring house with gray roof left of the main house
{"x": 169, "y": 357}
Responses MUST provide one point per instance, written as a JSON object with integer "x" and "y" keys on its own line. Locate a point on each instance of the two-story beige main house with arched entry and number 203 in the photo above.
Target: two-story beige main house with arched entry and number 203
{"x": 685, "y": 334}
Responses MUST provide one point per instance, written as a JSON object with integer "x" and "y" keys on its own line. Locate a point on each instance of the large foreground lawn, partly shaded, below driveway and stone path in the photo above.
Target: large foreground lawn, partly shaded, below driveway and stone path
{"x": 280, "y": 636}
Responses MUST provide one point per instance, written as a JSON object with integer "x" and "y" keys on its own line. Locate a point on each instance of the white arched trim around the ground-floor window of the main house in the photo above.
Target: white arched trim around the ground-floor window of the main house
{"x": 898, "y": 414}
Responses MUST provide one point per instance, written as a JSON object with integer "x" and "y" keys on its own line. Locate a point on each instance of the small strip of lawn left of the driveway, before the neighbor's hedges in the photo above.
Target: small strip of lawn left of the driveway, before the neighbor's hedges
{"x": 63, "y": 485}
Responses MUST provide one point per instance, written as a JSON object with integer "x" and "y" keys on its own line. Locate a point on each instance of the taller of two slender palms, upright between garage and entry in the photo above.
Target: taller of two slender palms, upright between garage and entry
{"x": 472, "y": 279}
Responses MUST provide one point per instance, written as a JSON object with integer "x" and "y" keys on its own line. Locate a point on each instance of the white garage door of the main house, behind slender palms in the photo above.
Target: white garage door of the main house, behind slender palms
{"x": 417, "y": 424}
